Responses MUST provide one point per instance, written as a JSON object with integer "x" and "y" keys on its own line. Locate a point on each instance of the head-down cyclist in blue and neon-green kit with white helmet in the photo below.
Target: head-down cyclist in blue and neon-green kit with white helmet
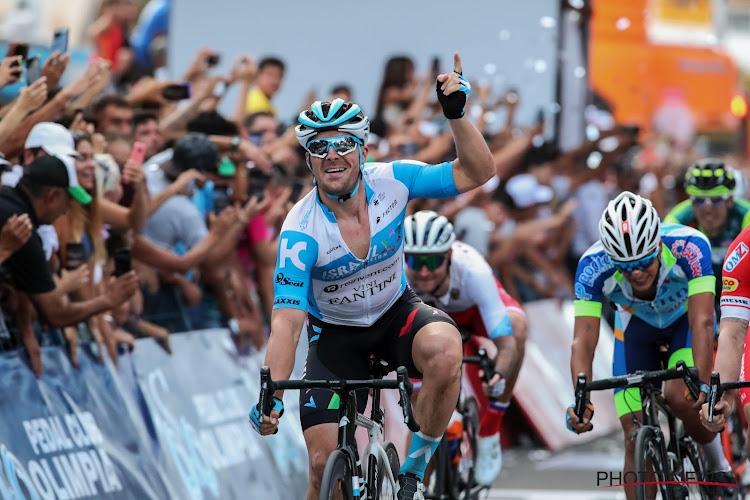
{"x": 660, "y": 278}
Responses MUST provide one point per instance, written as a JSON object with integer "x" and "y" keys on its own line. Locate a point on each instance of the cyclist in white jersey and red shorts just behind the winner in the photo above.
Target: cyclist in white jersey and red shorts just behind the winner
{"x": 455, "y": 278}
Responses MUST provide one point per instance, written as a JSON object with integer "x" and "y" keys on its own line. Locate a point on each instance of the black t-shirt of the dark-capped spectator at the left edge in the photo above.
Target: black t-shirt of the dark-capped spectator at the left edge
{"x": 28, "y": 265}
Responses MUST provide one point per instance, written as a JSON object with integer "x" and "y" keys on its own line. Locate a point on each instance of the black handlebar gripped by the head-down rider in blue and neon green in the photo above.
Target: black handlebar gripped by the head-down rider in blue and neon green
{"x": 638, "y": 379}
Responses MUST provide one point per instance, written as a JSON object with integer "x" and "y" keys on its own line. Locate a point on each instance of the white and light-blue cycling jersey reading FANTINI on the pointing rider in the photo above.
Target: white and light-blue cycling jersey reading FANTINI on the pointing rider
{"x": 316, "y": 271}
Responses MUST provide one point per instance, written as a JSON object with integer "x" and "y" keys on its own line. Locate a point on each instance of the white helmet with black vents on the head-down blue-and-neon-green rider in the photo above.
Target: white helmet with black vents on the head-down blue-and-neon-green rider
{"x": 629, "y": 228}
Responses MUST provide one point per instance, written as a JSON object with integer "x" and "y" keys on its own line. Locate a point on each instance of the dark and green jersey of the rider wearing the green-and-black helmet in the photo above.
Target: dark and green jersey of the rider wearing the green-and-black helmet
{"x": 738, "y": 218}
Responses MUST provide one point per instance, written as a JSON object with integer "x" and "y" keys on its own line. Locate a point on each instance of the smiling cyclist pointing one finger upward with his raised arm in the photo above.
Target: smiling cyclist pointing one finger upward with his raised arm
{"x": 340, "y": 271}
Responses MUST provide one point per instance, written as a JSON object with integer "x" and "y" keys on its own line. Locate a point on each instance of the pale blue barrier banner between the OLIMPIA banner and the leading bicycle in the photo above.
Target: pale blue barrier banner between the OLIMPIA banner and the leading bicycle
{"x": 198, "y": 400}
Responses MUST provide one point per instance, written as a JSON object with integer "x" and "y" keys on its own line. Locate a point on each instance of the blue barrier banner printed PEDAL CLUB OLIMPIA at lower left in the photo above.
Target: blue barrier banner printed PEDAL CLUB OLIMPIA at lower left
{"x": 71, "y": 434}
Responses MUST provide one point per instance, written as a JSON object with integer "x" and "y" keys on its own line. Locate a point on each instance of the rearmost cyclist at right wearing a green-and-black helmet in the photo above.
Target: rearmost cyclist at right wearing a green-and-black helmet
{"x": 712, "y": 210}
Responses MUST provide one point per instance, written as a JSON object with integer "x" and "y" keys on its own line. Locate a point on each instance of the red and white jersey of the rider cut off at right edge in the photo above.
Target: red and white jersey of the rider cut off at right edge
{"x": 735, "y": 279}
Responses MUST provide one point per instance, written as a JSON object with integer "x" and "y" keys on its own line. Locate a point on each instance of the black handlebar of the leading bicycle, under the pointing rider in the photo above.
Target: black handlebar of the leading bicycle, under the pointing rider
{"x": 268, "y": 387}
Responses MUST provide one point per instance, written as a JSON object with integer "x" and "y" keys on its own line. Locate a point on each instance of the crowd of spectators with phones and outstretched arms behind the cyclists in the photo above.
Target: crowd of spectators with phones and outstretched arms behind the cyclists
{"x": 105, "y": 241}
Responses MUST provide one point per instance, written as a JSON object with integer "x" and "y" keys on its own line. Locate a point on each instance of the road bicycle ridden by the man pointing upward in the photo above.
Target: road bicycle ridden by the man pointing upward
{"x": 343, "y": 476}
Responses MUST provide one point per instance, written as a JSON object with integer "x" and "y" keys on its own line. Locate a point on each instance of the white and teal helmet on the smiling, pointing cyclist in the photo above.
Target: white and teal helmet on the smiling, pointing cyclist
{"x": 346, "y": 117}
